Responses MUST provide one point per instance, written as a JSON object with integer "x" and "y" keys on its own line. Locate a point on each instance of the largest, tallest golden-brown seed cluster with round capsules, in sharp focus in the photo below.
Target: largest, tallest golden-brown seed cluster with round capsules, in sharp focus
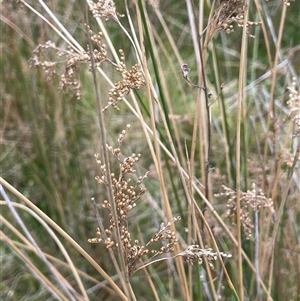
{"x": 125, "y": 198}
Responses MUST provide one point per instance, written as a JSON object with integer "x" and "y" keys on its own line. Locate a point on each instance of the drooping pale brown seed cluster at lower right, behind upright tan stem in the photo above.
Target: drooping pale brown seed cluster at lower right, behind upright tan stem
{"x": 254, "y": 199}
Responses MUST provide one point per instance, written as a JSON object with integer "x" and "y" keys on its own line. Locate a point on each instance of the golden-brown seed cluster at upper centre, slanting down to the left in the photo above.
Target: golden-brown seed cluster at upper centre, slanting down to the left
{"x": 132, "y": 79}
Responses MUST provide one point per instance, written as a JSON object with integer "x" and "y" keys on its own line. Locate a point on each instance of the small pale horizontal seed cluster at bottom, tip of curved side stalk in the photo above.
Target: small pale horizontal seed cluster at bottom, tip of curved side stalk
{"x": 194, "y": 254}
